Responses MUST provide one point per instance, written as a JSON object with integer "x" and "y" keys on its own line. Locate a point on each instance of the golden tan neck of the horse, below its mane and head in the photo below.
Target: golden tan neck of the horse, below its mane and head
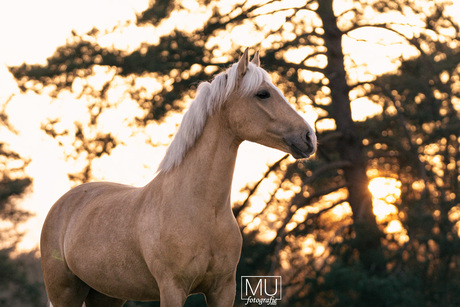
{"x": 206, "y": 172}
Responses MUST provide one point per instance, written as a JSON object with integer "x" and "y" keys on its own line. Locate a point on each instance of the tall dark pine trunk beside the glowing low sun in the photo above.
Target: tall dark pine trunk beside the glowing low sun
{"x": 367, "y": 240}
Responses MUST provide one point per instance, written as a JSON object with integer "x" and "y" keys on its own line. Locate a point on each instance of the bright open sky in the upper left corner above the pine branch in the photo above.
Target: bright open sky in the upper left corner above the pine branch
{"x": 31, "y": 30}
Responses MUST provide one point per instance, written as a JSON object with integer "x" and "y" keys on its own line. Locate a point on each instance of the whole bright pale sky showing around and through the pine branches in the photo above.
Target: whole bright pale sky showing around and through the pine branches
{"x": 31, "y": 30}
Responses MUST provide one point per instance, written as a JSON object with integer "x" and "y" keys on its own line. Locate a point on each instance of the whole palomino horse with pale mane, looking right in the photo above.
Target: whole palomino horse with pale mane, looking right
{"x": 105, "y": 243}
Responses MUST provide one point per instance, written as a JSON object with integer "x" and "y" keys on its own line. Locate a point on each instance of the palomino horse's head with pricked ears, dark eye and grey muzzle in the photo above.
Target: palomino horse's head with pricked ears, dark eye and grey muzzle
{"x": 258, "y": 112}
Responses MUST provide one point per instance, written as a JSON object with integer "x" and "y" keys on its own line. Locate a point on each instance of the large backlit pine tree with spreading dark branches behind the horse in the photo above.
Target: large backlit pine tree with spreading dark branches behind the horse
{"x": 318, "y": 228}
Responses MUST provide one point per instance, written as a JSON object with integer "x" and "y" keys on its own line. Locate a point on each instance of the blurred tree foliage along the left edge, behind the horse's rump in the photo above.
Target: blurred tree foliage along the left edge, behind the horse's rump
{"x": 20, "y": 281}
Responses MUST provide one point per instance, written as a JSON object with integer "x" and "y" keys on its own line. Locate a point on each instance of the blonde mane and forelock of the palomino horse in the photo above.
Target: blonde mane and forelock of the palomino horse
{"x": 209, "y": 99}
